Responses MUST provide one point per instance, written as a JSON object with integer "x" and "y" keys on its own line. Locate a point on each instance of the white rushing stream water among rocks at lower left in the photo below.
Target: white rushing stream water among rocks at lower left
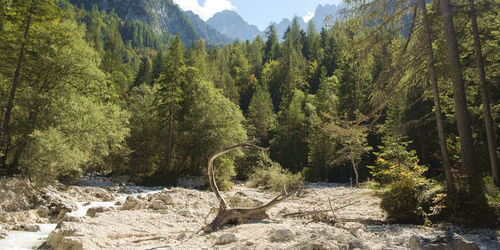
{"x": 18, "y": 240}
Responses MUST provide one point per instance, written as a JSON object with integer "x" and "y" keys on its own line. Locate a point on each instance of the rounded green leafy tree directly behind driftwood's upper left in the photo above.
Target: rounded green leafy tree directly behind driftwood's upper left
{"x": 211, "y": 123}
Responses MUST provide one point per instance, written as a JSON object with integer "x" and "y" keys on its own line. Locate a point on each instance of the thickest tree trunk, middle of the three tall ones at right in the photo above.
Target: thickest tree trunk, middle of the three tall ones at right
{"x": 462, "y": 114}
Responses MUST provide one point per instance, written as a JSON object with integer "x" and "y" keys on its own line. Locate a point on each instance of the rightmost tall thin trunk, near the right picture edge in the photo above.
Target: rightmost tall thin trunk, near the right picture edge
{"x": 488, "y": 121}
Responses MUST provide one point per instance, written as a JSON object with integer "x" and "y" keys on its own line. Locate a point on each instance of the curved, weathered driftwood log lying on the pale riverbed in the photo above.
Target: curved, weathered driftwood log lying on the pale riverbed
{"x": 226, "y": 214}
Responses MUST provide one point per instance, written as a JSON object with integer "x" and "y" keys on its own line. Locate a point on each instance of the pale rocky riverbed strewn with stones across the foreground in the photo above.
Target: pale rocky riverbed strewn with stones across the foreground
{"x": 324, "y": 216}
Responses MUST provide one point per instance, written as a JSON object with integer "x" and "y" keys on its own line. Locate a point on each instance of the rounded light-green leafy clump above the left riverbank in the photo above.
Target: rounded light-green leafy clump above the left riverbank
{"x": 68, "y": 147}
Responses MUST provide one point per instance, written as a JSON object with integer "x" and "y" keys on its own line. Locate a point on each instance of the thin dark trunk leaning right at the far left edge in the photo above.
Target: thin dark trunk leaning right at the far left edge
{"x": 6, "y": 136}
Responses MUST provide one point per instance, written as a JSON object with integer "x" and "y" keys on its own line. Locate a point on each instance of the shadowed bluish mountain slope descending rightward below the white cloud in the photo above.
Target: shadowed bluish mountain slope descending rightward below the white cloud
{"x": 163, "y": 15}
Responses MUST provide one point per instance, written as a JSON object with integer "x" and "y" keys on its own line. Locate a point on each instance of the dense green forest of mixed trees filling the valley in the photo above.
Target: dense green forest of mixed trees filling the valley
{"x": 401, "y": 96}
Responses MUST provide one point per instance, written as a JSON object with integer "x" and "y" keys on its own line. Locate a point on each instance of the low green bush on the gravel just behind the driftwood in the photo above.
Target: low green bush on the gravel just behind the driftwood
{"x": 275, "y": 178}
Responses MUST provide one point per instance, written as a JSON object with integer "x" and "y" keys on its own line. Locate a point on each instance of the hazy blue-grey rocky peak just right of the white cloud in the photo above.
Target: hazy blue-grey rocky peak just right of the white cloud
{"x": 232, "y": 25}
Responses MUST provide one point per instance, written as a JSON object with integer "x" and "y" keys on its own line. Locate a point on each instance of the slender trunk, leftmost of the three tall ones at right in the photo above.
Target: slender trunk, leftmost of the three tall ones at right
{"x": 437, "y": 103}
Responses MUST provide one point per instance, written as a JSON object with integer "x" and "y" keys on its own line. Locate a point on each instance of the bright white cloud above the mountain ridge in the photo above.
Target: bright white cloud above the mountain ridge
{"x": 206, "y": 10}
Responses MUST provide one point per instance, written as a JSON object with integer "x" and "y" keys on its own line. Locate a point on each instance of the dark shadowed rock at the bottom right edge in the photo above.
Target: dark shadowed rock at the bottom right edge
{"x": 449, "y": 242}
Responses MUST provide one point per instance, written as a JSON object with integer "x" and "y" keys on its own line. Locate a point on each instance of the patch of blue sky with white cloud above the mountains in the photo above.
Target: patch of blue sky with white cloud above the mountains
{"x": 257, "y": 12}
